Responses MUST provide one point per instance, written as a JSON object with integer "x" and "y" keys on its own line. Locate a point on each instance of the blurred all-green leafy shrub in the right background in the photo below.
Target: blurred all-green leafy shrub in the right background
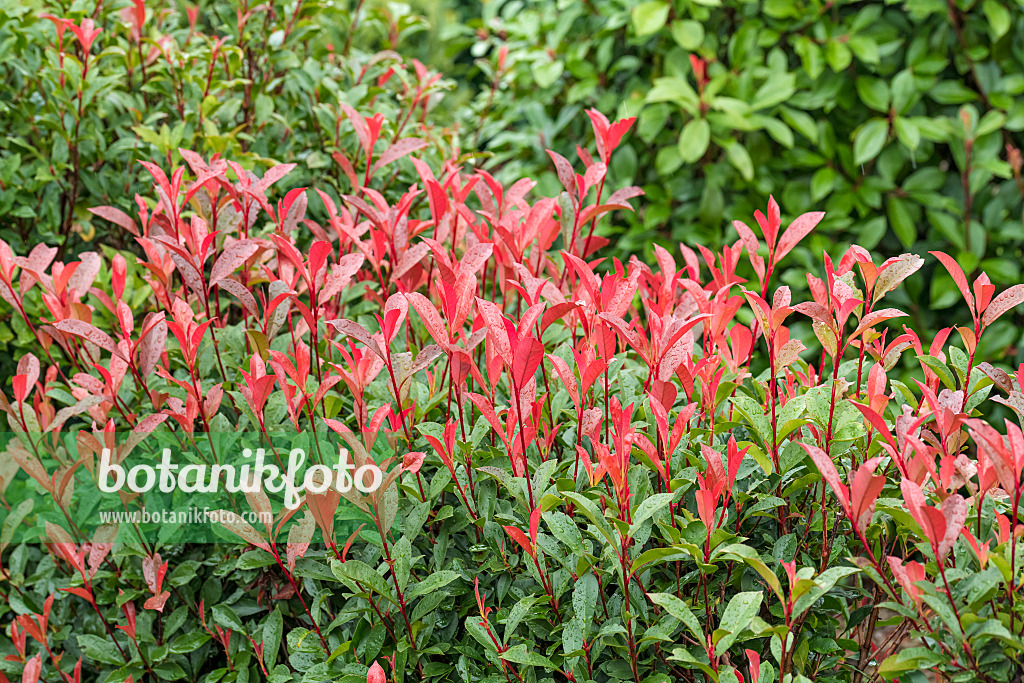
{"x": 902, "y": 121}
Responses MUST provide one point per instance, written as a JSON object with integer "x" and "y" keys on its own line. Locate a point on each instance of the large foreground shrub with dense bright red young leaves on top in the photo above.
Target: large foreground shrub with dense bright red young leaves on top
{"x": 631, "y": 475}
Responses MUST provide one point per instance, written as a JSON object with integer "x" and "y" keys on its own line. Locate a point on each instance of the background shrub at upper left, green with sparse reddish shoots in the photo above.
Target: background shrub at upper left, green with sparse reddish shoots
{"x": 89, "y": 95}
